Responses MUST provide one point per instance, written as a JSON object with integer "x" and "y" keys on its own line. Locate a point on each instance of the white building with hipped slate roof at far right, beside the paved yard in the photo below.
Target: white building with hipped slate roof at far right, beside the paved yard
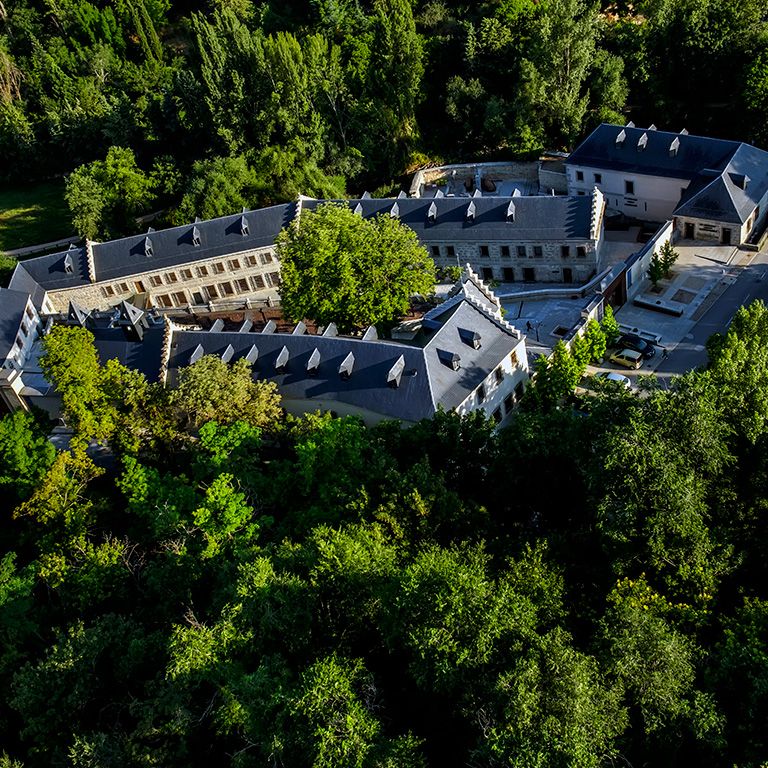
{"x": 712, "y": 189}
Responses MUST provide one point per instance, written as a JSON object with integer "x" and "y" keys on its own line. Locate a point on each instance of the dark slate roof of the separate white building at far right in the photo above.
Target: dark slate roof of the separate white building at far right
{"x": 715, "y": 167}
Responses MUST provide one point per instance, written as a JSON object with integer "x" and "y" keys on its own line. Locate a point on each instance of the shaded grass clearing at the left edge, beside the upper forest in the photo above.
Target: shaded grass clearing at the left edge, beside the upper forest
{"x": 33, "y": 213}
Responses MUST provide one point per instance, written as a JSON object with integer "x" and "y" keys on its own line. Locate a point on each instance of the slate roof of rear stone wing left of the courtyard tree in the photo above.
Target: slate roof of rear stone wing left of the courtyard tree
{"x": 169, "y": 247}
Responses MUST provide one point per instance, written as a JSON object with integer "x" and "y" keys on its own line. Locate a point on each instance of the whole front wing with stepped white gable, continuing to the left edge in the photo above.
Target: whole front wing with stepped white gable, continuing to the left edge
{"x": 462, "y": 356}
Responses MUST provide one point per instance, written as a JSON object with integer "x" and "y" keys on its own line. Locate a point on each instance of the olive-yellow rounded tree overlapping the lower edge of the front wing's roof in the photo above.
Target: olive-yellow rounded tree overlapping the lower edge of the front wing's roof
{"x": 212, "y": 390}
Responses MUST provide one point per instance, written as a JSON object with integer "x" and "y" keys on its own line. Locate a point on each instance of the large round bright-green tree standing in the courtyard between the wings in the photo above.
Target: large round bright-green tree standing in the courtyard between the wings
{"x": 338, "y": 267}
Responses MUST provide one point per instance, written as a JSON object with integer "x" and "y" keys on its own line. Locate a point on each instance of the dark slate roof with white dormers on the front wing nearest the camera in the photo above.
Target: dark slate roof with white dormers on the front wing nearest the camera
{"x": 427, "y": 379}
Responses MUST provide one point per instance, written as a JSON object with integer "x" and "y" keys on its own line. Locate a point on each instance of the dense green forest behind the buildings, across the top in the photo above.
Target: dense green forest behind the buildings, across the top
{"x": 197, "y": 107}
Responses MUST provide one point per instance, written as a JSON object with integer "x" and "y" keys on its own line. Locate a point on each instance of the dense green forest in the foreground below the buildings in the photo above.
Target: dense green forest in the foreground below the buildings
{"x": 233, "y": 586}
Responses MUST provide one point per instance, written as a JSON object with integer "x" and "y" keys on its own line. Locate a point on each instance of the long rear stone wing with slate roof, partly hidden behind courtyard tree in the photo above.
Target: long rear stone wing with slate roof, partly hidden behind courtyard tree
{"x": 542, "y": 239}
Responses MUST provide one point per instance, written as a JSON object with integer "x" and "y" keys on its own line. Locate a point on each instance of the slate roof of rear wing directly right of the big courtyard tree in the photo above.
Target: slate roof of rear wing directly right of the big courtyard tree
{"x": 543, "y": 217}
